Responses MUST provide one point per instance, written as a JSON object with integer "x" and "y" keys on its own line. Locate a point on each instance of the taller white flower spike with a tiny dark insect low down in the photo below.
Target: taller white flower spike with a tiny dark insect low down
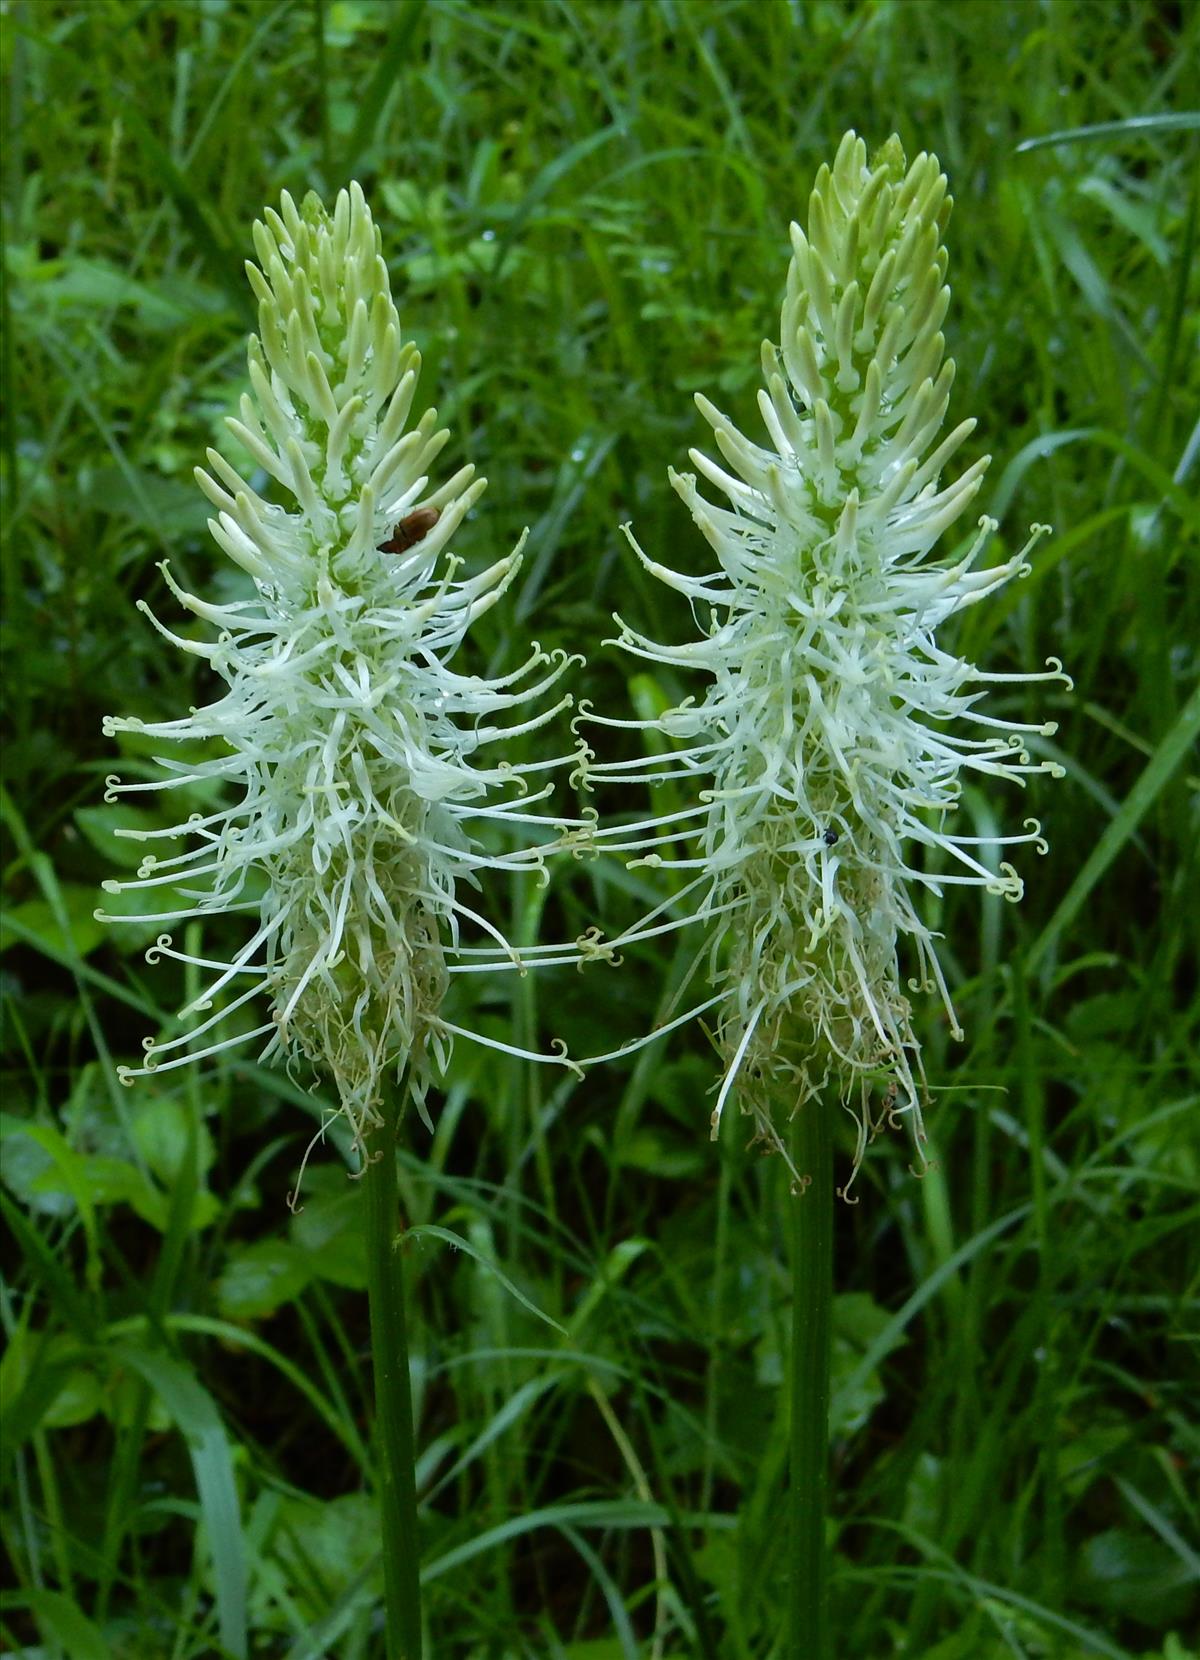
{"x": 836, "y": 728}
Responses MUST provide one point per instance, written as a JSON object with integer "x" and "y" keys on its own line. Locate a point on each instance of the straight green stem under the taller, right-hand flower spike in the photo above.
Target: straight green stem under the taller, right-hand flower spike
{"x": 811, "y": 1213}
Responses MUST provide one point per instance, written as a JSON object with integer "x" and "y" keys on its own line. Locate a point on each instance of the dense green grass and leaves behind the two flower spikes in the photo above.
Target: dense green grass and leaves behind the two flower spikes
{"x": 585, "y": 208}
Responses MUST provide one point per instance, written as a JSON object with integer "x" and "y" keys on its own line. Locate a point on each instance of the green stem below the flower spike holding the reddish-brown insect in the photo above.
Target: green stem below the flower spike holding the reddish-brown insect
{"x": 394, "y": 1407}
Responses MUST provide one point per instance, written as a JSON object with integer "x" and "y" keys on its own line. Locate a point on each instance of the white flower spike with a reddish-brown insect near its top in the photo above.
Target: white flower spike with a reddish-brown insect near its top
{"x": 343, "y": 735}
